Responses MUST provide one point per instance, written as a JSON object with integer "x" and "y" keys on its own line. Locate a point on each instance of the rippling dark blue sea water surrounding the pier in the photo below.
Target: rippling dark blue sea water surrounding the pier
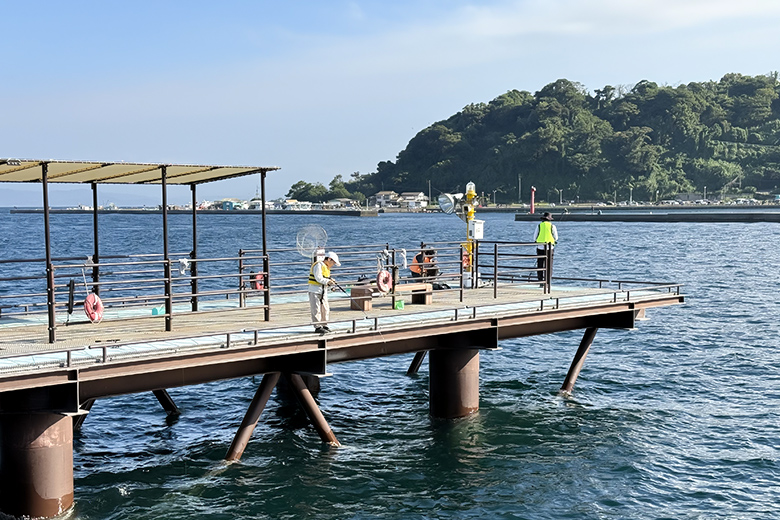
{"x": 678, "y": 419}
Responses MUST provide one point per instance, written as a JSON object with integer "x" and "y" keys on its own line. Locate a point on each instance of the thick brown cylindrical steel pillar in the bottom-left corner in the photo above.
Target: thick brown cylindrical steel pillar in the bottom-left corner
{"x": 36, "y": 464}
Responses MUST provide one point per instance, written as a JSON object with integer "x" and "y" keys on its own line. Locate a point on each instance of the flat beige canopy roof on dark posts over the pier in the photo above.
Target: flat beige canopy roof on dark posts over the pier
{"x": 78, "y": 172}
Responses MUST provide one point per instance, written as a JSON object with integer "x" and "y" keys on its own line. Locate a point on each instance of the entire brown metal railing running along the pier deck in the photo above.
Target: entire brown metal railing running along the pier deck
{"x": 144, "y": 280}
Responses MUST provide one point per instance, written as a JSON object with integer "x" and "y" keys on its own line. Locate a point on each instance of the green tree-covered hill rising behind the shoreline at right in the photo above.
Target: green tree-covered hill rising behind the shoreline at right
{"x": 657, "y": 140}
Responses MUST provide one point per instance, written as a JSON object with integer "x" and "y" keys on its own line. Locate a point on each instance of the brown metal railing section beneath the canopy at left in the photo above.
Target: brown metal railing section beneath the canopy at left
{"x": 122, "y": 281}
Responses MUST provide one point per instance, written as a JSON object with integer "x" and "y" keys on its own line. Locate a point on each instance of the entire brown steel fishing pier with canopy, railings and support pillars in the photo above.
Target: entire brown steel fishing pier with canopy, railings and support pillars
{"x": 177, "y": 319}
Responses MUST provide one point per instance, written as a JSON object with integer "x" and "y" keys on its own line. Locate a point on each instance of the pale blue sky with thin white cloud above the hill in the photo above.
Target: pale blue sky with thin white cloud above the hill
{"x": 322, "y": 88}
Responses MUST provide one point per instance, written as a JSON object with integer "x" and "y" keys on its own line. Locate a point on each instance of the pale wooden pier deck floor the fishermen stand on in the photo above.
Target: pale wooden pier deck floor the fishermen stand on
{"x": 84, "y": 346}
